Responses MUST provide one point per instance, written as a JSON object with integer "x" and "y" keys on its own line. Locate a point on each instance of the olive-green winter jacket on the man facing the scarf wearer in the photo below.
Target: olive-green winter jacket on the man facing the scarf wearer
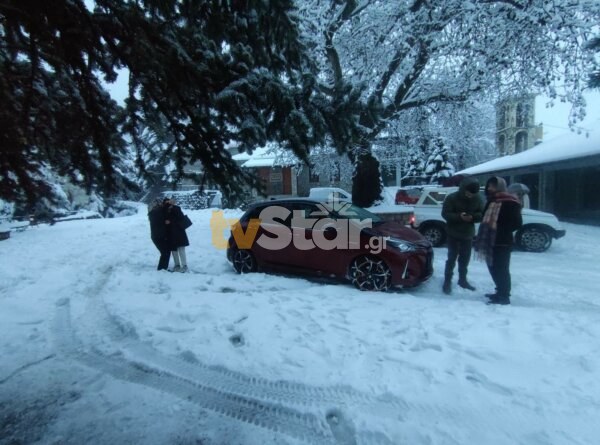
{"x": 457, "y": 203}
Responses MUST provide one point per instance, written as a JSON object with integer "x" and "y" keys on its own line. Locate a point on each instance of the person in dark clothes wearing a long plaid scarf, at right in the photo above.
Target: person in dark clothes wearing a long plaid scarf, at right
{"x": 501, "y": 218}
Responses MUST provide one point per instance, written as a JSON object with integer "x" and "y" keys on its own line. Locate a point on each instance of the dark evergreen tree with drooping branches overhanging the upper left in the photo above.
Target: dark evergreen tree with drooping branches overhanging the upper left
{"x": 203, "y": 76}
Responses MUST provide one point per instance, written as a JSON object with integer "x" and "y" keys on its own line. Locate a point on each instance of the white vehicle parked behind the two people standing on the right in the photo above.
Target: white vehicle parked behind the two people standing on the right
{"x": 536, "y": 234}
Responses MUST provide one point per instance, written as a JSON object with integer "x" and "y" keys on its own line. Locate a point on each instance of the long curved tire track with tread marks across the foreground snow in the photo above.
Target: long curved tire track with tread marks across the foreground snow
{"x": 122, "y": 335}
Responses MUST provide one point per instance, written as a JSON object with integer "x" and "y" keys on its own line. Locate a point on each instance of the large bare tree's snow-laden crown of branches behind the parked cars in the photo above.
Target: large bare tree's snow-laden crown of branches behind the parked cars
{"x": 380, "y": 59}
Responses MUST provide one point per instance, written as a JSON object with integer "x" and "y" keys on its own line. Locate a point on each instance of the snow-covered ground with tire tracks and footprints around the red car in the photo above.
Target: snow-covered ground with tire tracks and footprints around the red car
{"x": 98, "y": 347}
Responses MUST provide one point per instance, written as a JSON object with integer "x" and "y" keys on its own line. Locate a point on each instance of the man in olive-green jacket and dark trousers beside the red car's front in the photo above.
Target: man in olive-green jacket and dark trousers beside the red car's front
{"x": 461, "y": 210}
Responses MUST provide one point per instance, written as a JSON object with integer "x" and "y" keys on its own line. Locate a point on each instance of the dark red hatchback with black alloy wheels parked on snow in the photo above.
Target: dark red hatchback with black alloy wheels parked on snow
{"x": 309, "y": 236}
